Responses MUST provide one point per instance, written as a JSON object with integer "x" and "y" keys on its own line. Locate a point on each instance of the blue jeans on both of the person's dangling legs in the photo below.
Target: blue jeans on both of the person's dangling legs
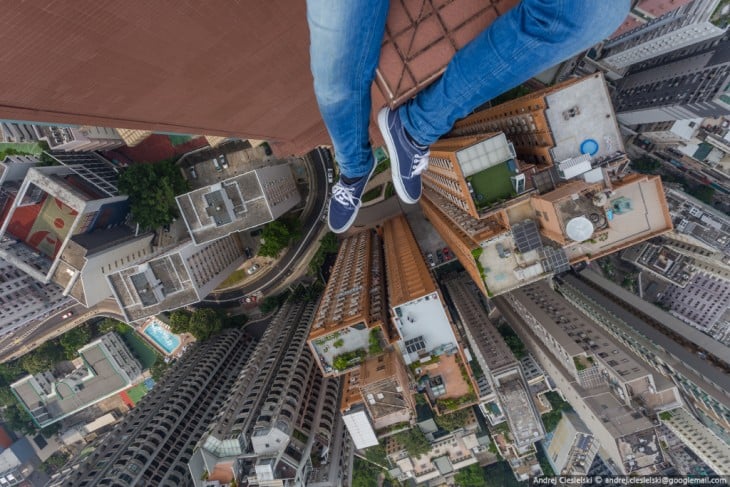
{"x": 346, "y": 37}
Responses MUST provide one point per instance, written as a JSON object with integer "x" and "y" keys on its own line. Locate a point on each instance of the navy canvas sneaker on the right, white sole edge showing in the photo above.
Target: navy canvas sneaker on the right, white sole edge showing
{"x": 408, "y": 159}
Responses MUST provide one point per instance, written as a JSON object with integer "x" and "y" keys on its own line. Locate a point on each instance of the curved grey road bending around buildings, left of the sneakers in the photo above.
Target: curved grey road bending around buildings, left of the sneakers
{"x": 312, "y": 225}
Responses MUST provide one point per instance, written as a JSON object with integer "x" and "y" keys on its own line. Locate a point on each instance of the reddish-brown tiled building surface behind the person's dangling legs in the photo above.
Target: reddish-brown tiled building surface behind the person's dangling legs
{"x": 217, "y": 68}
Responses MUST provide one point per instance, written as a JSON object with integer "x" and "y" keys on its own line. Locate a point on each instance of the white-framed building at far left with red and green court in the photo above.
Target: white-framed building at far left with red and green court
{"x": 63, "y": 223}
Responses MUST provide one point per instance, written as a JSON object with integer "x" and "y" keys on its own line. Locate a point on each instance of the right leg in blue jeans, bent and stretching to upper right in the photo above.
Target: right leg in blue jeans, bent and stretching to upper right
{"x": 530, "y": 38}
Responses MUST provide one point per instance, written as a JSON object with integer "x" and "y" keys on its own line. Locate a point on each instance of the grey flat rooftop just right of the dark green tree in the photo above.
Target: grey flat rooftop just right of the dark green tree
{"x": 232, "y": 205}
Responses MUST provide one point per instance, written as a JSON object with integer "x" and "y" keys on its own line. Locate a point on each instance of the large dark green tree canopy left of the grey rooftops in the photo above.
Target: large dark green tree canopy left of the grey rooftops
{"x": 152, "y": 189}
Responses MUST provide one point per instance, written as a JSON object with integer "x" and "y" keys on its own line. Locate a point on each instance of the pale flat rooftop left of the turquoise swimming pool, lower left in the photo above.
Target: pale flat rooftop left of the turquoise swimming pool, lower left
{"x": 95, "y": 379}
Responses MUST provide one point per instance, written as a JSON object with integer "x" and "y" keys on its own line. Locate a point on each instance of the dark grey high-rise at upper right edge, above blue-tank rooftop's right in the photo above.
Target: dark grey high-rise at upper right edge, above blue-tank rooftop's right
{"x": 691, "y": 82}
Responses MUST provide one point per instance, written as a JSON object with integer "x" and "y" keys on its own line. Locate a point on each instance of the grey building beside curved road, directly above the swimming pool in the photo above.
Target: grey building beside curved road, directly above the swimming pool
{"x": 177, "y": 277}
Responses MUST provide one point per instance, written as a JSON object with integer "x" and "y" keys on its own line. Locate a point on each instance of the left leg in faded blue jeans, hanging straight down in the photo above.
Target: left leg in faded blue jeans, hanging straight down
{"x": 345, "y": 47}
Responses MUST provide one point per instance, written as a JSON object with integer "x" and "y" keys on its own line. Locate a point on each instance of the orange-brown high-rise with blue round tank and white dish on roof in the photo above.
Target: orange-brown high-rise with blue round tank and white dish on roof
{"x": 560, "y": 196}
